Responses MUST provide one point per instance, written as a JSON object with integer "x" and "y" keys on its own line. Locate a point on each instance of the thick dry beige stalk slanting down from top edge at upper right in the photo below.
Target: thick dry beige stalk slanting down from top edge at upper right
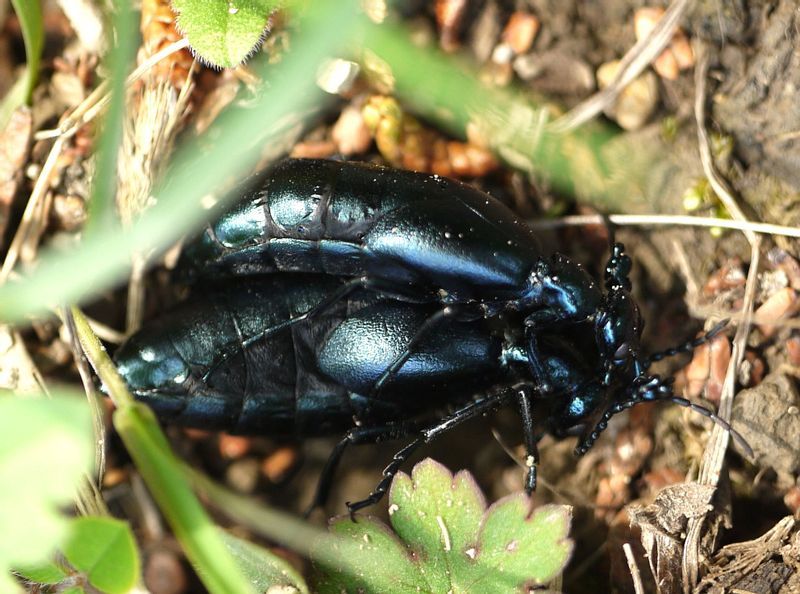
{"x": 632, "y": 64}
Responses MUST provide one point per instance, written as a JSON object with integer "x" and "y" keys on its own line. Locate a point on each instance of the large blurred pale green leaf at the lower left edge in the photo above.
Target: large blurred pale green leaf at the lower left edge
{"x": 46, "y": 447}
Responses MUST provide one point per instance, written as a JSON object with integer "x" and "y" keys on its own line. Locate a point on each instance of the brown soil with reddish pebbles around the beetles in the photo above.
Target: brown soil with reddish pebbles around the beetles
{"x": 654, "y": 480}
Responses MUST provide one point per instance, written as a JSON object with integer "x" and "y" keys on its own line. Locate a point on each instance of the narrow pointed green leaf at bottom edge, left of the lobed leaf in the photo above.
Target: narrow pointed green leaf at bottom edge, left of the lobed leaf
{"x": 264, "y": 569}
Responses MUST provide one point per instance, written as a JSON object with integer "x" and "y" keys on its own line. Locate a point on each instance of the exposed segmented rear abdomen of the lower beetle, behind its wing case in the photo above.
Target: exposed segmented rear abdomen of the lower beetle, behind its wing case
{"x": 225, "y": 361}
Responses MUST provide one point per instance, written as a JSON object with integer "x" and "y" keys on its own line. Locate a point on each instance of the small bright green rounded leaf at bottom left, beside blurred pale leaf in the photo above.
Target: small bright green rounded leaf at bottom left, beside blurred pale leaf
{"x": 105, "y": 551}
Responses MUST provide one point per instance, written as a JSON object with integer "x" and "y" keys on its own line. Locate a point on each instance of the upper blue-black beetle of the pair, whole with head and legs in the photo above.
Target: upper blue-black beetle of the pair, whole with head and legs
{"x": 417, "y": 238}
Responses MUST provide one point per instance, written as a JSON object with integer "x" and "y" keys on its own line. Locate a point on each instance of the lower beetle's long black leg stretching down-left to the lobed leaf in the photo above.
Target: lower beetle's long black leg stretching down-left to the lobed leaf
{"x": 473, "y": 409}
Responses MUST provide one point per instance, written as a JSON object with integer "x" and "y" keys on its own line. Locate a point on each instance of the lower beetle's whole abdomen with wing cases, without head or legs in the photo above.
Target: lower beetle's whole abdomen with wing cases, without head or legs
{"x": 228, "y": 359}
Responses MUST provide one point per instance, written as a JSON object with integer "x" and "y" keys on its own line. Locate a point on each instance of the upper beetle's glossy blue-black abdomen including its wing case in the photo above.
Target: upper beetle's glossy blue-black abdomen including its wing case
{"x": 355, "y": 219}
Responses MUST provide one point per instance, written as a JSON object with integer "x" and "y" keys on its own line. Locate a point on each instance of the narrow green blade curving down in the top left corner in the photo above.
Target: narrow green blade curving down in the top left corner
{"x": 29, "y": 13}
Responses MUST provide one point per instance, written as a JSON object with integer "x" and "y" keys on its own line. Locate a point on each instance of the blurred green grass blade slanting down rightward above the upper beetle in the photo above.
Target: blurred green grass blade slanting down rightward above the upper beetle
{"x": 594, "y": 163}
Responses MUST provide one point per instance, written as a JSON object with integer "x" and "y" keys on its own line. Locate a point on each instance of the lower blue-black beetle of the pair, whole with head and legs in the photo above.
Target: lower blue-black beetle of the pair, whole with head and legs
{"x": 230, "y": 358}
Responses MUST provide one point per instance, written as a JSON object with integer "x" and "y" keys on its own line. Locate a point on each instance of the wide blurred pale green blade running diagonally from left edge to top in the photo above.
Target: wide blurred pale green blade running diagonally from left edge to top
{"x": 104, "y": 257}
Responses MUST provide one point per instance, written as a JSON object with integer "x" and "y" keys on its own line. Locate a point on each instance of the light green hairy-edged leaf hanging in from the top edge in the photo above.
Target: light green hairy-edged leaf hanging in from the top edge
{"x": 224, "y": 33}
